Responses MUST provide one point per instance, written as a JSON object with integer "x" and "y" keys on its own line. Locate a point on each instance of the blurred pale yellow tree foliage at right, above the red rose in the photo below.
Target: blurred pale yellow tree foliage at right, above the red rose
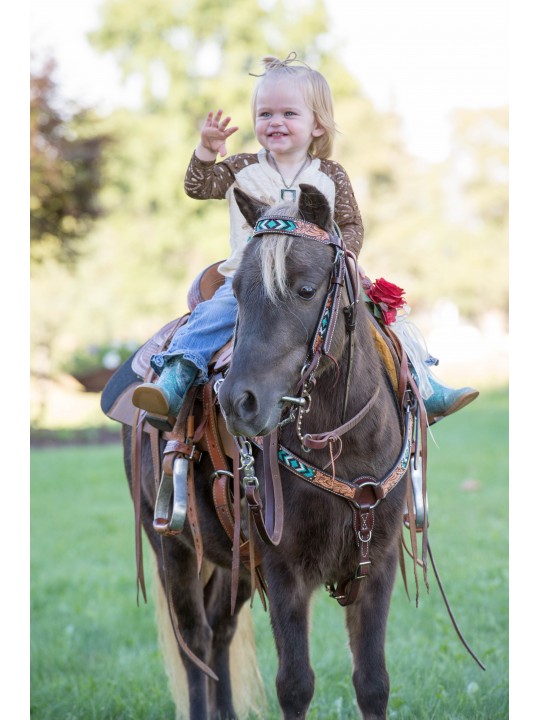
{"x": 446, "y": 230}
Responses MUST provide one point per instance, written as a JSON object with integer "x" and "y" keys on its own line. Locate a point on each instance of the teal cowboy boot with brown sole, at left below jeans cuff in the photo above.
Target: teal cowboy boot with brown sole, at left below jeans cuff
{"x": 163, "y": 399}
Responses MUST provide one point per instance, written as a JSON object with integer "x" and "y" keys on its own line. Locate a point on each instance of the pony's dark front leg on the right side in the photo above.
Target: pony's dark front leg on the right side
{"x": 366, "y": 623}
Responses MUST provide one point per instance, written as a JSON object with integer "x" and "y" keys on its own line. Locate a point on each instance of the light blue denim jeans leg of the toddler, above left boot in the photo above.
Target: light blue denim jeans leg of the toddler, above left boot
{"x": 208, "y": 328}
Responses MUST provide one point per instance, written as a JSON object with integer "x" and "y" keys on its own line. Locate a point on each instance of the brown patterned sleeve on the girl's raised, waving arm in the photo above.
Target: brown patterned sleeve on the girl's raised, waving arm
{"x": 211, "y": 180}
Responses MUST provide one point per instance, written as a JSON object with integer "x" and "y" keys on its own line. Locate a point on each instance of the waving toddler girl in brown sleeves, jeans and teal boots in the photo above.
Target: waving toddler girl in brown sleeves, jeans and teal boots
{"x": 294, "y": 124}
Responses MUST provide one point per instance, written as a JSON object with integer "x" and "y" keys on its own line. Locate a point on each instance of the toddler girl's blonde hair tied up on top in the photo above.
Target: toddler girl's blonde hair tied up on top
{"x": 317, "y": 95}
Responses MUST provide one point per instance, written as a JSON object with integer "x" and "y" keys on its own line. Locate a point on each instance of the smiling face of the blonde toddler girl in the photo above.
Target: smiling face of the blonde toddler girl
{"x": 284, "y": 124}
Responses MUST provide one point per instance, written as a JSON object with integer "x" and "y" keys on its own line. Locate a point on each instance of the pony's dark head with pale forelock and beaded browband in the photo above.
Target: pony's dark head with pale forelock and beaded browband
{"x": 281, "y": 286}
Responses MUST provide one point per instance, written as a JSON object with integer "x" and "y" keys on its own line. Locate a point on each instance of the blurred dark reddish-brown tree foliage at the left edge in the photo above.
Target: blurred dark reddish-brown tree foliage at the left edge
{"x": 65, "y": 174}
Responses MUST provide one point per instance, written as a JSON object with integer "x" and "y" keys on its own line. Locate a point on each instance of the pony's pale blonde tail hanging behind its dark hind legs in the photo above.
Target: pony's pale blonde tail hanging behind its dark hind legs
{"x": 247, "y": 685}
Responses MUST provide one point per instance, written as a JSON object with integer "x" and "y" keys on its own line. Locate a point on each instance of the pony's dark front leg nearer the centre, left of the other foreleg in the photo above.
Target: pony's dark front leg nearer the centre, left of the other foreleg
{"x": 289, "y": 611}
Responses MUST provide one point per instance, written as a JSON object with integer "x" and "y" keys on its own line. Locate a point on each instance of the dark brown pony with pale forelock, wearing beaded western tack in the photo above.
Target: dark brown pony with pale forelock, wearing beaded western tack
{"x": 315, "y": 413}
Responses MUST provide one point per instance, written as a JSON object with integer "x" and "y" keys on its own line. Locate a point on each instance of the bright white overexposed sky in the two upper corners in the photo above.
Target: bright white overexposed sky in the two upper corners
{"x": 420, "y": 57}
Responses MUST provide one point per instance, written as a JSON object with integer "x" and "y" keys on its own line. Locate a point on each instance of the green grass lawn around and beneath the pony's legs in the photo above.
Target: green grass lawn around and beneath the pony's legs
{"x": 94, "y": 653}
